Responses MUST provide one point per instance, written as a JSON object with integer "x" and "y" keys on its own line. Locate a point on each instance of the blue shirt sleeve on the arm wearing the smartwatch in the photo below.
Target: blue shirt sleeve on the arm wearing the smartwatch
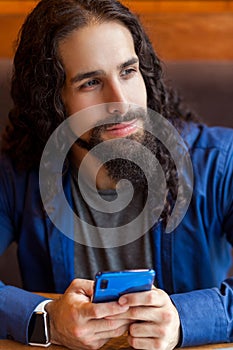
{"x": 16, "y": 305}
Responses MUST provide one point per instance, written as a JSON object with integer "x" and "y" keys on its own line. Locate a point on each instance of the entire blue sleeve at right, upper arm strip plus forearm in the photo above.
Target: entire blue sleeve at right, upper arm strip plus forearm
{"x": 206, "y": 315}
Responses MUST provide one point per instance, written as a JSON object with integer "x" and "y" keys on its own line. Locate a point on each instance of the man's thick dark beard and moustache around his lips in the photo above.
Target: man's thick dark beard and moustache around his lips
{"x": 120, "y": 151}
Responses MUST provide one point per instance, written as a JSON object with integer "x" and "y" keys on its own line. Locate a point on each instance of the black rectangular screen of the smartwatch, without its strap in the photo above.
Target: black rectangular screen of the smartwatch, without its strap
{"x": 38, "y": 329}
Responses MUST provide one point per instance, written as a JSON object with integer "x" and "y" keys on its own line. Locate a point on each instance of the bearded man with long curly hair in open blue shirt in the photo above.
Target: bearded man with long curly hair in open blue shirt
{"x": 73, "y": 55}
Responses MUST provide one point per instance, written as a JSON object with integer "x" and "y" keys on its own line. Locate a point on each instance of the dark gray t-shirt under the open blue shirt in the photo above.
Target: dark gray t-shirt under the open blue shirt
{"x": 89, "y": 260}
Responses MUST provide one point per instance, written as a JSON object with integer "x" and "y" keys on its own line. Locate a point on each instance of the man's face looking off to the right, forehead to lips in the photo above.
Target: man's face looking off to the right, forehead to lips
{"x": 102, "y": 68}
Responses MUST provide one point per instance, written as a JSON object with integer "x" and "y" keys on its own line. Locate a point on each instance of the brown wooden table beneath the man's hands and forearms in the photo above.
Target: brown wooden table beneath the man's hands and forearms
{"x": 119, "y": 343}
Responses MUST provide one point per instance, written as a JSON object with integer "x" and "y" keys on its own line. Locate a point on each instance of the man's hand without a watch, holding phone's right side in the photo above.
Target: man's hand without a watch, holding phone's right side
{"x": 158, "y": 325}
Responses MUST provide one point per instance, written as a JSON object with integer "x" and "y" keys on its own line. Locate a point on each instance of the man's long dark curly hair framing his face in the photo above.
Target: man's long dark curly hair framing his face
{"x": 38, "y": 77}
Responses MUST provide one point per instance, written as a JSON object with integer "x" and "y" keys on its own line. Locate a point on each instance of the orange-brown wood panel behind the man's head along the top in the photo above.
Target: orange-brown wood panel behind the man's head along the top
{"x": 179, "y": 30}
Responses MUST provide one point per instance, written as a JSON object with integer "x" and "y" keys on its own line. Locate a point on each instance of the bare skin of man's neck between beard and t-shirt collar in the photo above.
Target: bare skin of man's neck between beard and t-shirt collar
{"x": 102, "y": 180}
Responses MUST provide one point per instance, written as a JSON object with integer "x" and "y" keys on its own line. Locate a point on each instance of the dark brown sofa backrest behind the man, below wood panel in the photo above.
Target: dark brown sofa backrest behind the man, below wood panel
{"x": 206, "y": 86}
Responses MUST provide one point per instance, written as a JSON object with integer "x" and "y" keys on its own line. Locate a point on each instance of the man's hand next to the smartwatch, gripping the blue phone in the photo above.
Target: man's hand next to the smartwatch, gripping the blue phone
{"x": 77, "y": 323}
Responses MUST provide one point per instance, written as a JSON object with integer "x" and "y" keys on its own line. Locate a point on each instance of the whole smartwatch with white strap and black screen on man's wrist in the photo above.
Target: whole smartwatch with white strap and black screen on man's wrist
{"x": 38, "y": 332}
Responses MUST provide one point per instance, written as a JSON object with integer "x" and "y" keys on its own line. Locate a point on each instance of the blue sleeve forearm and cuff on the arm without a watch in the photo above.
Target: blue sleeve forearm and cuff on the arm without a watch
{"x": 206, "y": 316}
